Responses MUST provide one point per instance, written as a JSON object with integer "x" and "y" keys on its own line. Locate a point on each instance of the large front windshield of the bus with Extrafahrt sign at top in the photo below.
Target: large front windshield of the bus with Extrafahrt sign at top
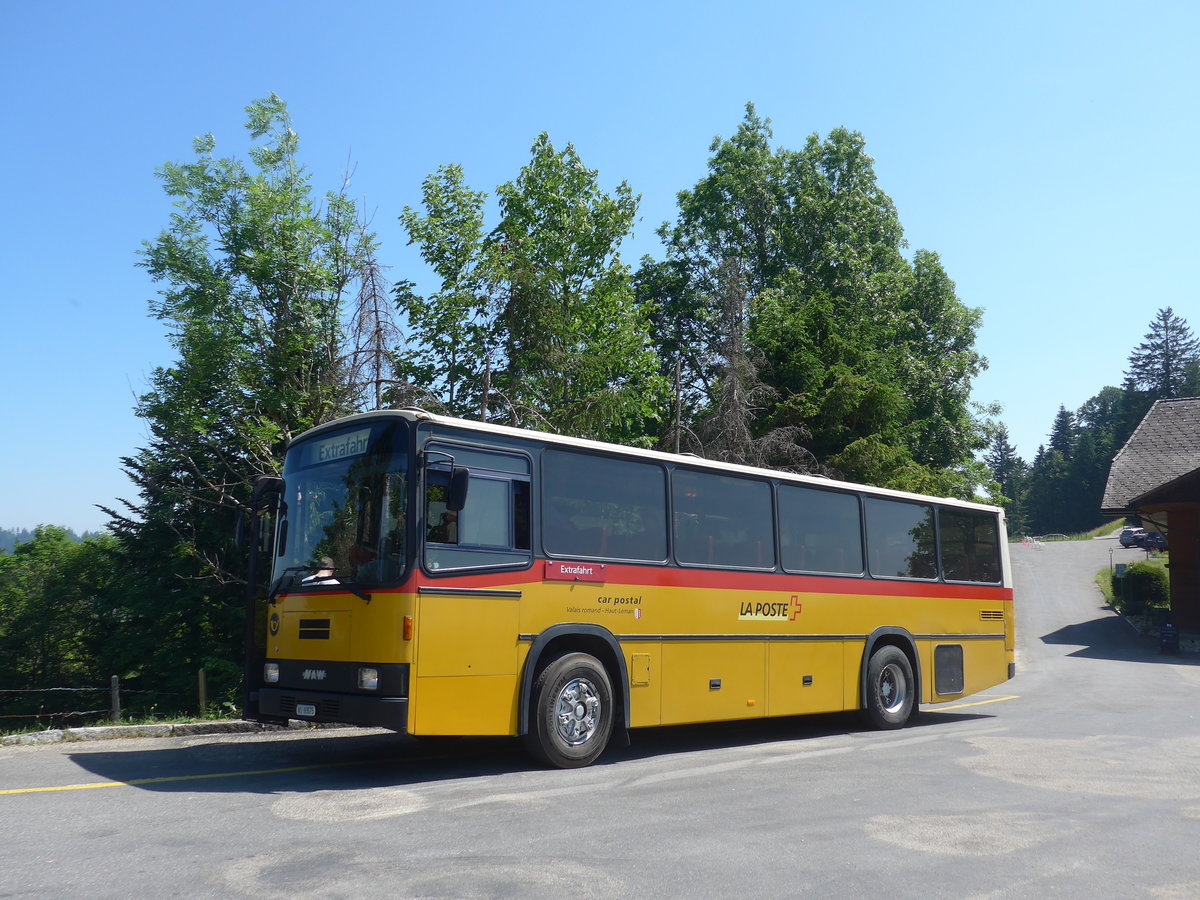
{"x": 343, "y": 517}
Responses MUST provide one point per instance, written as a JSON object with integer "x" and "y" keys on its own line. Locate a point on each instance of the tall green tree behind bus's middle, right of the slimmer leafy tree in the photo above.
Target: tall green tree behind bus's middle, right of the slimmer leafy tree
{"x": 579, "y": 352}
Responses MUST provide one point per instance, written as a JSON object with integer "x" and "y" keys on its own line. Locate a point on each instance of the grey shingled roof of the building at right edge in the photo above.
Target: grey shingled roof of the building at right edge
{"x": 1165, "y": 449}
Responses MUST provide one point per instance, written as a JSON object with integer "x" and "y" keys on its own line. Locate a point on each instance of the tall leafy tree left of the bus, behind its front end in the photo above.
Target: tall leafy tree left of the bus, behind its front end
{"x": 254, "y": 275}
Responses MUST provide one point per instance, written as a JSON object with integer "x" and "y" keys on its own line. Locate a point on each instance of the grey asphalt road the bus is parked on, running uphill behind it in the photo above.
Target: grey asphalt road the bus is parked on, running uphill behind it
{"x": 1079, "y": 778}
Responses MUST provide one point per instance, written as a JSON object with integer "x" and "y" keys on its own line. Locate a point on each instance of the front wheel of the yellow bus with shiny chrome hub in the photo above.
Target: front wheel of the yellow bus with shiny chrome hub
{"x": 573, "y": 712}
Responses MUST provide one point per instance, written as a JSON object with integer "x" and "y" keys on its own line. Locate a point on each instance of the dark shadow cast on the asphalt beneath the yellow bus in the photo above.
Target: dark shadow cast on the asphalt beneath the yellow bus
{"x": 353, "y": 761}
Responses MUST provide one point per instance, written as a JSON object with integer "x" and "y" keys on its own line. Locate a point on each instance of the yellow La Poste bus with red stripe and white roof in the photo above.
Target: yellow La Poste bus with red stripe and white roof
{"x": 441, "y": 577}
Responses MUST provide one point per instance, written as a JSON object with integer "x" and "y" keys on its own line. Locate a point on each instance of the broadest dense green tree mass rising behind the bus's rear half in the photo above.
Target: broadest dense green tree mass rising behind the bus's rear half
{"x": 871, "y": 356}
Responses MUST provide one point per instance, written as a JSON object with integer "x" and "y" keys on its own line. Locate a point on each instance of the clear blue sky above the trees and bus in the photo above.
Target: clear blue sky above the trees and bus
{"x": 1047, "y": 152}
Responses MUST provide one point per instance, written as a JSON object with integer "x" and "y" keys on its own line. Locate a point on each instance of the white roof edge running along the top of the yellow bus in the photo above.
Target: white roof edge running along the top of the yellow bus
{"x": 415, "y": 415}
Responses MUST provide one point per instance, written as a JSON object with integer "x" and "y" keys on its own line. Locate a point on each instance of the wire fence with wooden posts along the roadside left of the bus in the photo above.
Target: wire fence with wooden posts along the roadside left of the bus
{"x": 52, "y": 707}
